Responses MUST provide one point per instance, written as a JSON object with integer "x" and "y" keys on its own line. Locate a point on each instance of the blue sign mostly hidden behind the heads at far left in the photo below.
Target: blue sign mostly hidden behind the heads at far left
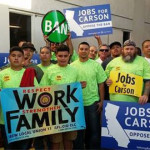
{"x": 4, "y": 59}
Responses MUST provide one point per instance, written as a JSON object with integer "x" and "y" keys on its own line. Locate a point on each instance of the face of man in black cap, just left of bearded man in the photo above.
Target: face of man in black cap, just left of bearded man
{"x": 116, "y": 51}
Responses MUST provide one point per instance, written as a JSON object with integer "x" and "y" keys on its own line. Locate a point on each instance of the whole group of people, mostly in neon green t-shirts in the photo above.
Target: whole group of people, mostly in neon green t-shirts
{"x": 91, "y": 67}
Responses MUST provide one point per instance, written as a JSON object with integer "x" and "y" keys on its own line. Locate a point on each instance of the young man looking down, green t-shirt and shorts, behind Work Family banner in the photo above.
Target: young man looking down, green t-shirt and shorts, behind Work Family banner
{"x": 61, "y": 73}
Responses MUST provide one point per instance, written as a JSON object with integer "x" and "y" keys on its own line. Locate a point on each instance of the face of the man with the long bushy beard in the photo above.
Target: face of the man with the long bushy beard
{"x": 129, "y": 53}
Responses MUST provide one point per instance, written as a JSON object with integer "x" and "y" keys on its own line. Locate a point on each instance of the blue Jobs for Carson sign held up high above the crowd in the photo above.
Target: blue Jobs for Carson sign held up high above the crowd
{"x": 90, "y": 20}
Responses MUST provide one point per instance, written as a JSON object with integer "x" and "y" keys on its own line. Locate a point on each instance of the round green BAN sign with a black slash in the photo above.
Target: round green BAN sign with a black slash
{"x": 54, "y": 25}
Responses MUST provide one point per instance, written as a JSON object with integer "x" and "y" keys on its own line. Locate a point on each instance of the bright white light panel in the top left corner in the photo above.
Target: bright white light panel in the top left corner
{"x": 26, "y": 4}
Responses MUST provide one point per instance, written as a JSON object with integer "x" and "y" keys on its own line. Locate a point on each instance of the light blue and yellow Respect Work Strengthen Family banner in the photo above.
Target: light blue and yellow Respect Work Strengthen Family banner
{"x": 38, "y": 111}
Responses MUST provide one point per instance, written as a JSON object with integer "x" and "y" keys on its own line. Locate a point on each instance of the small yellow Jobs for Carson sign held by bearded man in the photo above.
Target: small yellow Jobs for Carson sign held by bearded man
{"x": 125, "y": 83}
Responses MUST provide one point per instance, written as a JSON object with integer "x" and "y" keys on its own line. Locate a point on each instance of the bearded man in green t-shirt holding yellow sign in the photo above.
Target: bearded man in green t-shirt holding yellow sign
{"x": 130, "y": 63}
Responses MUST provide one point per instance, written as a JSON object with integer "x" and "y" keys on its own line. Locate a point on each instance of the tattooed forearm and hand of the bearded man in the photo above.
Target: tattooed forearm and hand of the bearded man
{"x": 144, "y": 98}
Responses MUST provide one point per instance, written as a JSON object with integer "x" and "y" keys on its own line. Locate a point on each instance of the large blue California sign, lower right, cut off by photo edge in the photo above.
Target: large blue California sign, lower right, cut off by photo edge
{"x": 125, "y": 125}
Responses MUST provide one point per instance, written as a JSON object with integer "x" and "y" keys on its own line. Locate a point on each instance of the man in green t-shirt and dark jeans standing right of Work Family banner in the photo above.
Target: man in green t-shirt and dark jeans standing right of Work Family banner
{"x": 92, "y": 77}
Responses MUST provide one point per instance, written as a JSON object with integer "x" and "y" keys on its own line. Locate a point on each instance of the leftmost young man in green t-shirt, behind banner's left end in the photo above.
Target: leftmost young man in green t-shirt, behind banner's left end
{"x": 11, "y": 78}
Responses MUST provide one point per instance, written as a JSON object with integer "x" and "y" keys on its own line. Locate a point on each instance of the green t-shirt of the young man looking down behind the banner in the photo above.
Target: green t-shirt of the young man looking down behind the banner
{"x": 59, "y": 75}
